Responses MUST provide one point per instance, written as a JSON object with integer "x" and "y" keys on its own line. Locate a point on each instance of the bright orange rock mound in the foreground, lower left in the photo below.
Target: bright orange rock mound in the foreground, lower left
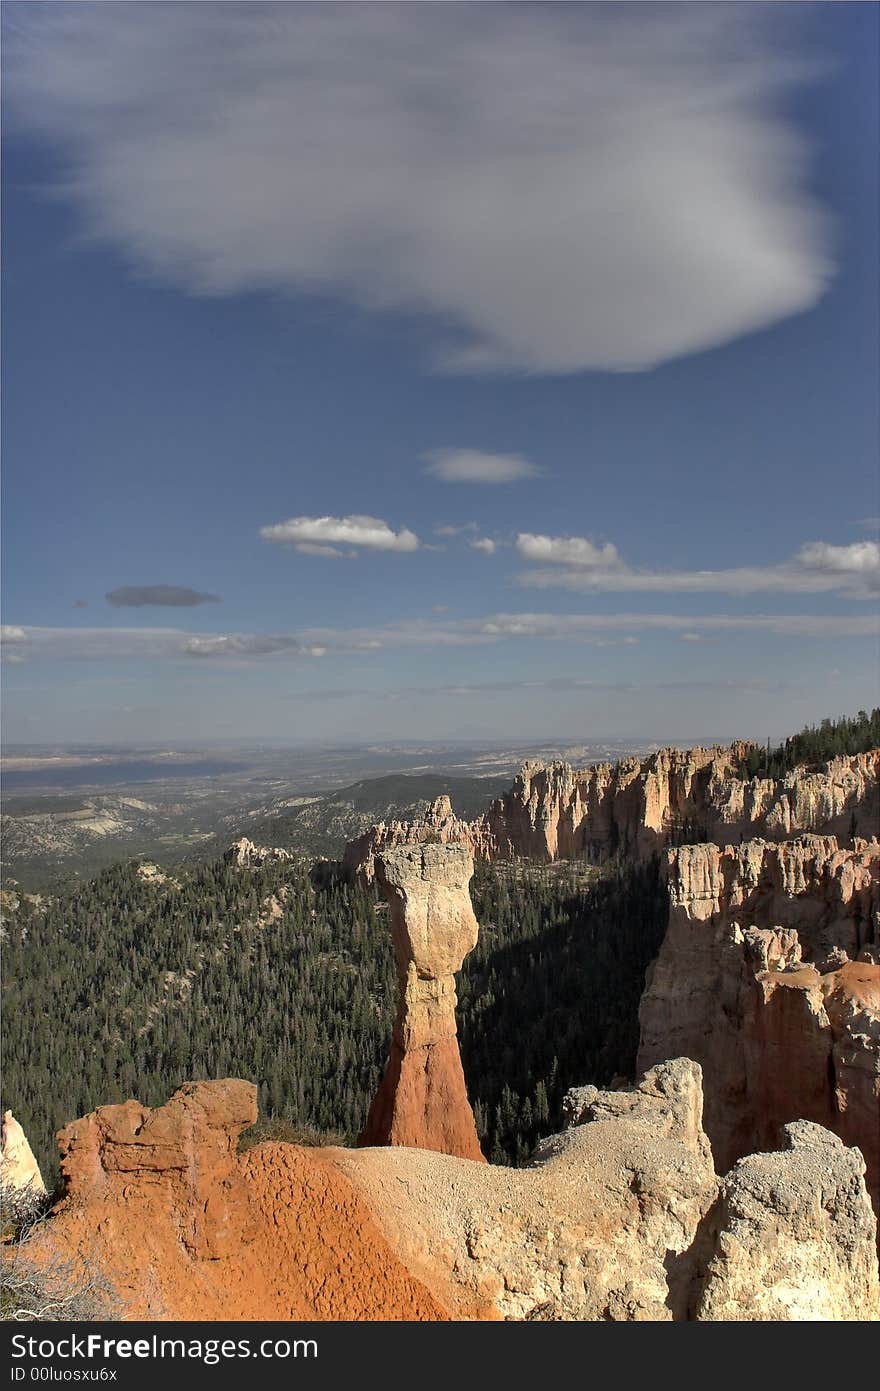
{"x": 163, "y": 1208}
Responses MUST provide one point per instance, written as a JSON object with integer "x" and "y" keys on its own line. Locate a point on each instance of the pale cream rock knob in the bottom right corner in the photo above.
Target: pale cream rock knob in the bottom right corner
{"x": 792, "y": 1236}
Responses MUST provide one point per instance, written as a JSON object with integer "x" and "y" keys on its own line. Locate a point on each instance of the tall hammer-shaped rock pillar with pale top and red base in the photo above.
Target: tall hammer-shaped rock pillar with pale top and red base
{"x": 423, "y": 1101}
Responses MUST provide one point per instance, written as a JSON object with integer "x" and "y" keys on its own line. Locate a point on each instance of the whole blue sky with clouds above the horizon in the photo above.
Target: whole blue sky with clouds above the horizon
{"x": 439, "y": 372}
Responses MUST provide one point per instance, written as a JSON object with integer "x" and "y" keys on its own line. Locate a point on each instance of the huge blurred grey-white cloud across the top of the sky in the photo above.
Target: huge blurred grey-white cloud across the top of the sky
{"x": 561, "y": 187}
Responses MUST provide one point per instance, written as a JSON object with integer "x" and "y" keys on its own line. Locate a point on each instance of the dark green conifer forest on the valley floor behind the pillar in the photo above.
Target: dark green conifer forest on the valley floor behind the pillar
{"x": 127, "y": 987}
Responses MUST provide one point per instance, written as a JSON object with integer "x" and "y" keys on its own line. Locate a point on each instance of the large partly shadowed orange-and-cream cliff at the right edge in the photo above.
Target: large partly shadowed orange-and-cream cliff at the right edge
{"x": 779, "y": 1038}
